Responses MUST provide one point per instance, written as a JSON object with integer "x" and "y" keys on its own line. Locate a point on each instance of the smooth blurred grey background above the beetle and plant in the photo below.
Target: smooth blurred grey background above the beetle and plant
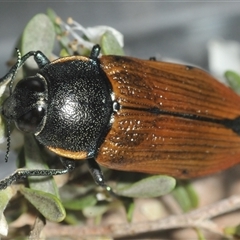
{"x": 175, "y": 30}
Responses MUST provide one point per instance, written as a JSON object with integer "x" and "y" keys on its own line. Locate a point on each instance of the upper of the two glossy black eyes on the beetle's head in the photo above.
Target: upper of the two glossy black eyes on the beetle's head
{"x": 34, "y": 83}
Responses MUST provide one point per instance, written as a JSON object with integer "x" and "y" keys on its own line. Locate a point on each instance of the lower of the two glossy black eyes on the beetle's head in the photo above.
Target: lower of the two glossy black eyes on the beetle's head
{"x": 30, "y": 121}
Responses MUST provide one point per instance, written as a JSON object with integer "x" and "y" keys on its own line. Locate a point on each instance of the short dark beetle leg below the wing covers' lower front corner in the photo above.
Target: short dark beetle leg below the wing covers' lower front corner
{"x": 97, "y": 175}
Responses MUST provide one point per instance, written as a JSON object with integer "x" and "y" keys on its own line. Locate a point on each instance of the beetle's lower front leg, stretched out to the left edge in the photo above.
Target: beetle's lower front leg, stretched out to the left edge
{"x": 19, "y": 174}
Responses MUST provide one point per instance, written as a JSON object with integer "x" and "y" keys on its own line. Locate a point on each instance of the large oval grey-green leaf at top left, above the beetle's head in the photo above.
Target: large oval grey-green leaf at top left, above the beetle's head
{"x": 38, "y": 34}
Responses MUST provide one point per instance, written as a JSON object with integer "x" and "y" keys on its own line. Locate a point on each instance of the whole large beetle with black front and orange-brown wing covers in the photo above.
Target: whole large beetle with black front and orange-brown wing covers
{"x": 126, "y": 114}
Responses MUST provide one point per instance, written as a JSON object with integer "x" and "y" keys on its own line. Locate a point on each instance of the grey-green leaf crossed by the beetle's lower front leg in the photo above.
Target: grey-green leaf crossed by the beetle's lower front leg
{"x": 35, "y": 160}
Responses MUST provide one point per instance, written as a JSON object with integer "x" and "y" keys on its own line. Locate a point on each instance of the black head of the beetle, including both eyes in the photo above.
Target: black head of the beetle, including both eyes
{"x": 26, "y": 106}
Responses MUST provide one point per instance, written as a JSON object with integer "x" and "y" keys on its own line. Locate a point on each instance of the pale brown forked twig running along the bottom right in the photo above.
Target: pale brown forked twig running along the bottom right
{"x": 198, "y": 218}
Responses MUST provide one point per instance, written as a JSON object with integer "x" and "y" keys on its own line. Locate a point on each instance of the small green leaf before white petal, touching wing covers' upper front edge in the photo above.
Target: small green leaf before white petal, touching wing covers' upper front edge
{"x": 110, "y": 45}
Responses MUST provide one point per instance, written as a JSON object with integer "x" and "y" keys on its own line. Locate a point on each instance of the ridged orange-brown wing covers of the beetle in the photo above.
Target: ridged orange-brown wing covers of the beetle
{"x": 175, "y": 120}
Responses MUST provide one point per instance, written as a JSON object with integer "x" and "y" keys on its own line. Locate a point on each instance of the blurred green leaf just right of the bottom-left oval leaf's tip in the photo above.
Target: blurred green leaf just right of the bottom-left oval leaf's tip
{"x": 80, "y": 203}
